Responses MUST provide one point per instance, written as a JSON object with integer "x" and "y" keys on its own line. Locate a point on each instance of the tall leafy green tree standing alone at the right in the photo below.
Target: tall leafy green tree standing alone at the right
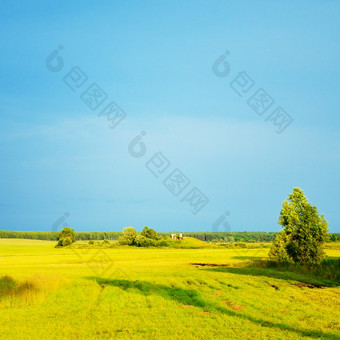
{"x": 304, "y": 232}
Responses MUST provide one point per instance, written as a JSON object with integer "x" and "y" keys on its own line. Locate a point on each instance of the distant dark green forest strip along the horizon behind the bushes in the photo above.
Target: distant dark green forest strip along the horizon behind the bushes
{"x": 218, "y": 237}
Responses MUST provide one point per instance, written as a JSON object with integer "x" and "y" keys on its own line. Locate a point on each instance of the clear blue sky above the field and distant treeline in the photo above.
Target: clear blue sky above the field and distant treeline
{"x": 154, "y": 59}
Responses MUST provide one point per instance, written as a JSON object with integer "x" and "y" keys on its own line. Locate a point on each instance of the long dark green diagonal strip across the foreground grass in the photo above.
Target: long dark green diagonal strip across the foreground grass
{"x": 195, "y": 298}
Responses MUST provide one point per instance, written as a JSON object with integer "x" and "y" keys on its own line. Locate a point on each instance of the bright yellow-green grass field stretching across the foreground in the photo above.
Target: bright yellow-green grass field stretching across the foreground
{"x": 158, "y": 293}
